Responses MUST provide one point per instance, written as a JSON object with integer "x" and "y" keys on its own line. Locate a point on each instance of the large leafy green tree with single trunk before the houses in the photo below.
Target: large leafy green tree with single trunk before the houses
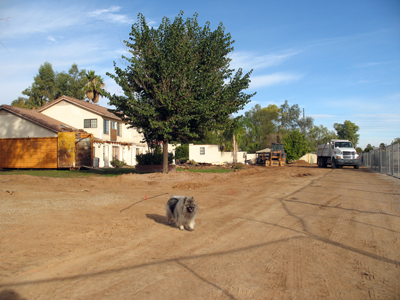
{"x": 177, "y": 84}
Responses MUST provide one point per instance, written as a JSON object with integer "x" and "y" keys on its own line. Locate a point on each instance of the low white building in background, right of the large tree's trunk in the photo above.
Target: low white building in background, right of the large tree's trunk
{"x": 212, "y": 154}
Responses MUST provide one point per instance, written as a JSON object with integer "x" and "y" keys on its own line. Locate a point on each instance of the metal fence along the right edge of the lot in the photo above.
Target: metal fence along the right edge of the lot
{"x": 384, "y": 160}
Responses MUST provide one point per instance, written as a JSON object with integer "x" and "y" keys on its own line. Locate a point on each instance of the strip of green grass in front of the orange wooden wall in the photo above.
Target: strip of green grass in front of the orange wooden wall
{"x": 108, "y": 172}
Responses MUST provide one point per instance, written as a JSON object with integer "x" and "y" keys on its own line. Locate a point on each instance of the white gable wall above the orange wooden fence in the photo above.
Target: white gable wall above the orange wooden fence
{"x": 12, "y": 126}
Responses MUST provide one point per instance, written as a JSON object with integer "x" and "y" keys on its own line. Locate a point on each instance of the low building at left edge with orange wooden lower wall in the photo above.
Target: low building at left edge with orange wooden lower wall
{"x": 29, "y": 139}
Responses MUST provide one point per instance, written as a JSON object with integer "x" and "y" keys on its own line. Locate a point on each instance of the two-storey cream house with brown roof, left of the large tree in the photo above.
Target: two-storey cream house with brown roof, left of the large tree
{"x": 112, "y": 137}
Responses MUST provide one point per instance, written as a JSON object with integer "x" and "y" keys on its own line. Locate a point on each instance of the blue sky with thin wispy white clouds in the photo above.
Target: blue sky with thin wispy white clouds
{"x": 337, "y": 60}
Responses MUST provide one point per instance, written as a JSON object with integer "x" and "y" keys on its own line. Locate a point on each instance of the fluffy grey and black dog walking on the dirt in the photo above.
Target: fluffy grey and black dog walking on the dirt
{"x": 182, "y": 210}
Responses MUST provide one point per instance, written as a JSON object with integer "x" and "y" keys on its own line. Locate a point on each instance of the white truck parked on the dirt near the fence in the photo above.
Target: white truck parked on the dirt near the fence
{"x": 337, "y": 153}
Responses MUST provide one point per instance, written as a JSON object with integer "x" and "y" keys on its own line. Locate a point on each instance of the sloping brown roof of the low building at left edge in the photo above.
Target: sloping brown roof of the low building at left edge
{"x": 39, "y": 119}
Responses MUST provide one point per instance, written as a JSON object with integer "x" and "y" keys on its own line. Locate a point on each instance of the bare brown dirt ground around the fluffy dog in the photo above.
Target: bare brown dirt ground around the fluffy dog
{"x": 294, "y": 232}
